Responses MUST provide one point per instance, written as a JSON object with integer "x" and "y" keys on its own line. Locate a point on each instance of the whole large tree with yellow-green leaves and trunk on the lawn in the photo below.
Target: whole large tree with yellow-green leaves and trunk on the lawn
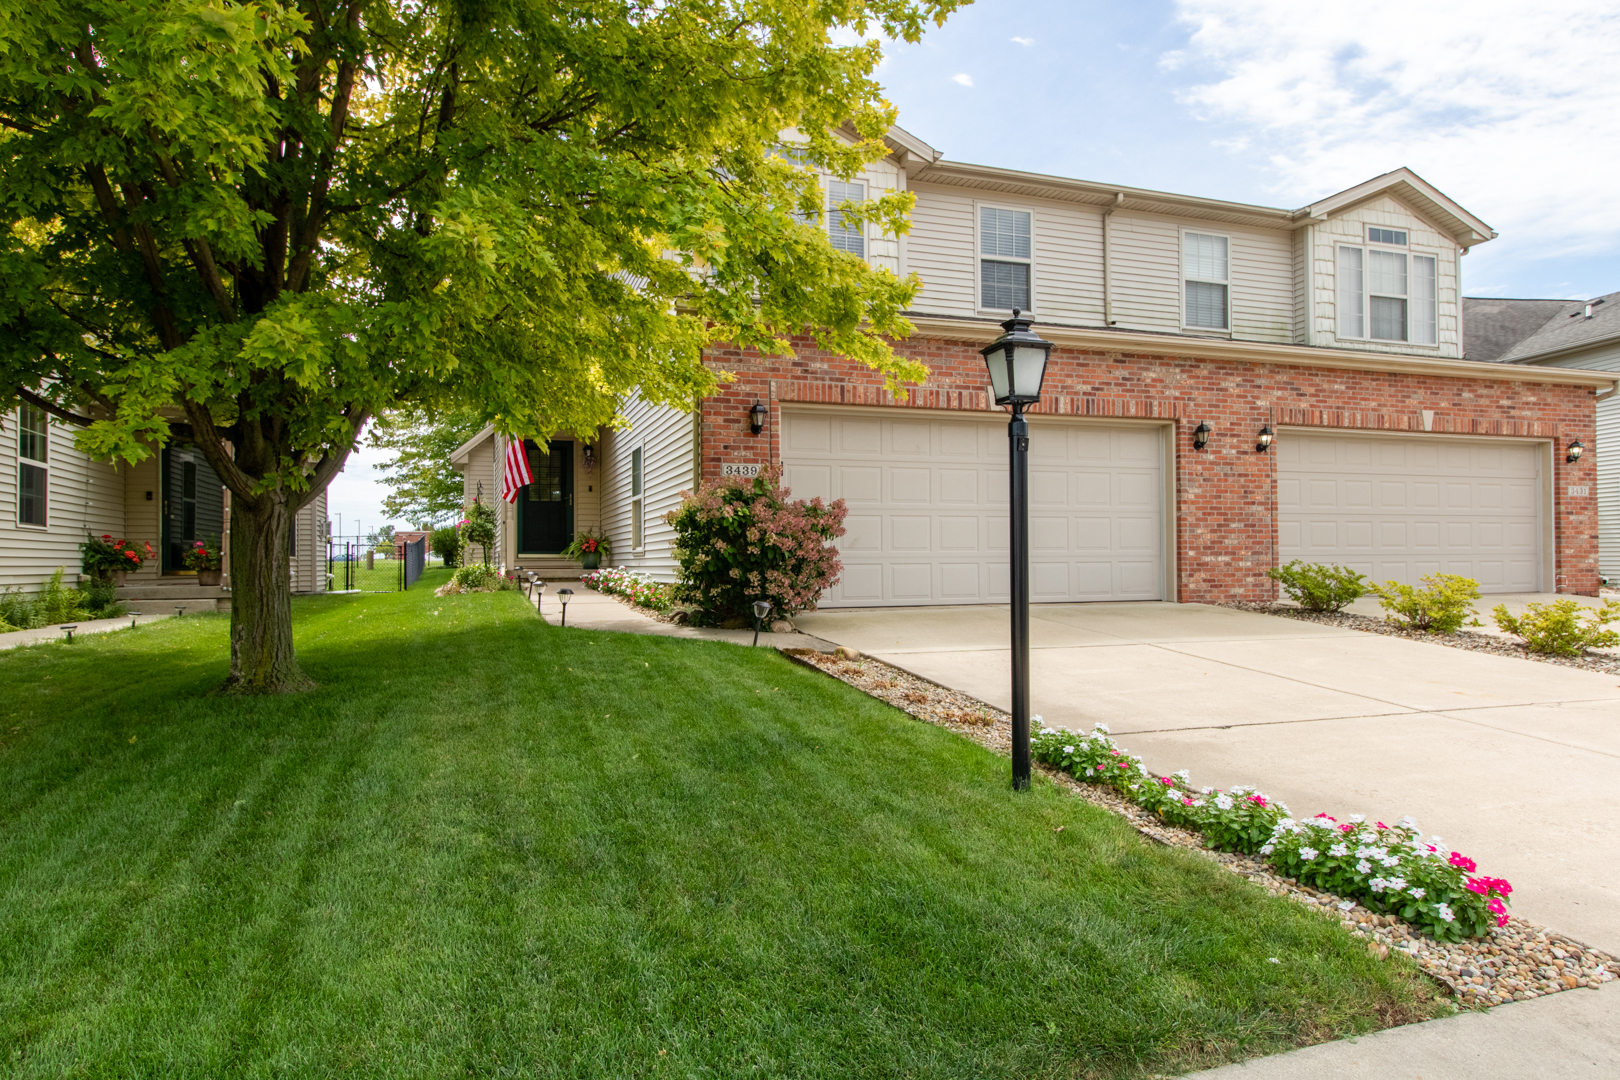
{"x": 258, "y": 224}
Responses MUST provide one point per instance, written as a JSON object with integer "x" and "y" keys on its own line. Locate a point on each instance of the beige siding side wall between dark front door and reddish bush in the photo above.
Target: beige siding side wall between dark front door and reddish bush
{"x": 668, "y": 441}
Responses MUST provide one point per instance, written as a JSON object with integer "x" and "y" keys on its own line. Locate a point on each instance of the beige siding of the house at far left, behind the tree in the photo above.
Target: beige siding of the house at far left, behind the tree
{"x": 82, "y": 496}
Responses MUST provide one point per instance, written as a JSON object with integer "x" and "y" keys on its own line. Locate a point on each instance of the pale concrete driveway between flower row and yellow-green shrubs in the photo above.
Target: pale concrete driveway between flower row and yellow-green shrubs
{"x": 1512, "y": 762}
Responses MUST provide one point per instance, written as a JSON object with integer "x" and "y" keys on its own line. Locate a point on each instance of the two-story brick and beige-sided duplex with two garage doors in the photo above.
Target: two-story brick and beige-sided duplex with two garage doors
{"x": 1336, "y": 326}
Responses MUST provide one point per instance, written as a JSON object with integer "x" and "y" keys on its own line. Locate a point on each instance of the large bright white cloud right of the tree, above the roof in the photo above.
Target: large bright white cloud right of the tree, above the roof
{"x": 1511, "y": 108}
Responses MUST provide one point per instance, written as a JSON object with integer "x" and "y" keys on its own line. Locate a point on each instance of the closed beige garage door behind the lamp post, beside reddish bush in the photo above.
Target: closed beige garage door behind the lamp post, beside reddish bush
{"x": 929, "y": 506}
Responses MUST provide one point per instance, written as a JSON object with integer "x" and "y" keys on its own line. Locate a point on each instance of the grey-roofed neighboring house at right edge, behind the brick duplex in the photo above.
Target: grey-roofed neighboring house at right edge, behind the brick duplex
{"x": 1582, "y": 334}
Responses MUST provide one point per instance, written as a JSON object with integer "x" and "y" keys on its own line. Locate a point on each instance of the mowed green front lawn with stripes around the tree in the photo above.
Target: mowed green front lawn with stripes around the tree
{"x": 493, "y": 848}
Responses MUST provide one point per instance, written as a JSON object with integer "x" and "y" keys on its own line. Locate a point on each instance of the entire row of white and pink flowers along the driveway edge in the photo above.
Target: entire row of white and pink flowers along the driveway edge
{"x": 1388, "y": 869}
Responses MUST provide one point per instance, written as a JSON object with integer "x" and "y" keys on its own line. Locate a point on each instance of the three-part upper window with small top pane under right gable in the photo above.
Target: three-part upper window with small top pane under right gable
{"x": 1388, "y": 296}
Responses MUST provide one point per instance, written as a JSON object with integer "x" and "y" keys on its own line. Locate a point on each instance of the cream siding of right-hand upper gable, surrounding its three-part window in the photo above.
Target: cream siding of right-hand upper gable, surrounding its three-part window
{"x": 1350, "y": 227}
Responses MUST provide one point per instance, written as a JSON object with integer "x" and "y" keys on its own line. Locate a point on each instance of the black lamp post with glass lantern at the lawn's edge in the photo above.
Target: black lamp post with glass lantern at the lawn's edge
{"x": 1018, "y": 365}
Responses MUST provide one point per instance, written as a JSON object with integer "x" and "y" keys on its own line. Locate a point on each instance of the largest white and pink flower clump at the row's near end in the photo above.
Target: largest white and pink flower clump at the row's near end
{"x": 1392, "y": 869}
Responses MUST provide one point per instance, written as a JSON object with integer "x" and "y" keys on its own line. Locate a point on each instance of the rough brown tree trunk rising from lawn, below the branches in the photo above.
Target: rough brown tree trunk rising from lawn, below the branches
{"x": 262, "y": 611}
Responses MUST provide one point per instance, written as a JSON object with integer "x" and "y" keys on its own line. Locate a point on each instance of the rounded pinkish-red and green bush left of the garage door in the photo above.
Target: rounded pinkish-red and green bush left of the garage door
{"x": 743, "y": 542}
